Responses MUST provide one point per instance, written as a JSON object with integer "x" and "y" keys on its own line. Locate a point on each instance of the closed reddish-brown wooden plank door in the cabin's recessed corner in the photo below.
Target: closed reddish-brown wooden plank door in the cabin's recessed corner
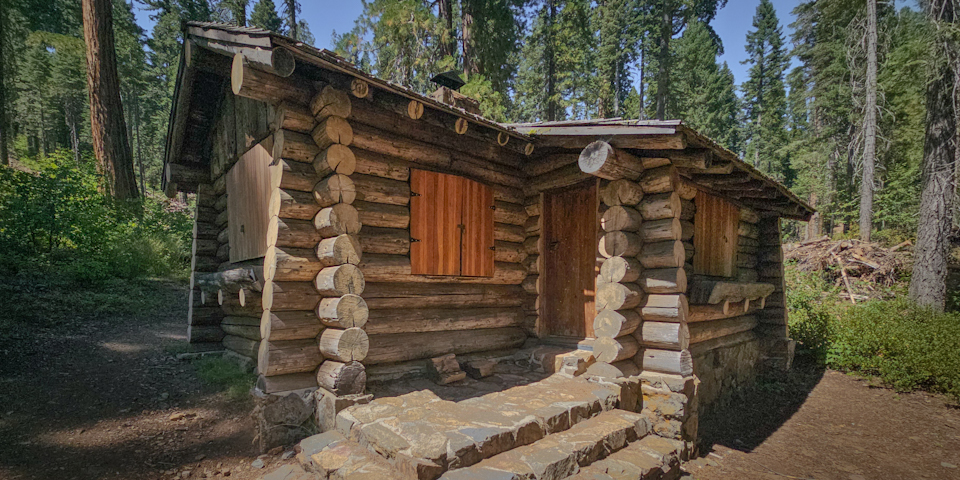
{"x": 570, "y": 246}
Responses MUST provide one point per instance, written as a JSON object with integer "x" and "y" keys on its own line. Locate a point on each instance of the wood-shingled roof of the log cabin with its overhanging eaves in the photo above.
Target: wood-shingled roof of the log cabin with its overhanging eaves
{"x": 719, "y": 169}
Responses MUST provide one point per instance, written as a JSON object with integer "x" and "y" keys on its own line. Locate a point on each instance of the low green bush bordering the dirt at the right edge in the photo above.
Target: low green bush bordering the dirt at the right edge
{"x": 908, "y": 346}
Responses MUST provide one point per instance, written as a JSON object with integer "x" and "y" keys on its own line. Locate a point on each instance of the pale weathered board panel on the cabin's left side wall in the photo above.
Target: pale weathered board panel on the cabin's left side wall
{"x": 248, "y": 198}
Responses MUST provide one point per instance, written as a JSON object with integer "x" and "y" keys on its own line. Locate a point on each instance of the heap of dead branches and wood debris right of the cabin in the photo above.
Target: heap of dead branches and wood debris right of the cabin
{"x": 868, "y": 262}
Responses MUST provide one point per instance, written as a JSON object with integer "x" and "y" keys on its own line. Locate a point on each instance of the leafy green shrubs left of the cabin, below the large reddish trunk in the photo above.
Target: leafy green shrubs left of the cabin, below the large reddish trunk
{"x": 55, "y": 219}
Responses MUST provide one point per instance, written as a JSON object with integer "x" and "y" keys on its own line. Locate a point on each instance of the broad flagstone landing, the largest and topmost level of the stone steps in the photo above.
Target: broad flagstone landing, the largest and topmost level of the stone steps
{"x": 423, "y": 436}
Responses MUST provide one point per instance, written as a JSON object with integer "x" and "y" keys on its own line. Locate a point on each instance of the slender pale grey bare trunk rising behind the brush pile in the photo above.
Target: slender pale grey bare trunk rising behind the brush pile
{"x": 869, "y": 126}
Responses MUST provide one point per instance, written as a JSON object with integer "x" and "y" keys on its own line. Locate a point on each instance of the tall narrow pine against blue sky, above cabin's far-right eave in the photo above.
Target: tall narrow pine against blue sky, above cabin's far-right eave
{"x": 764, "y": 93}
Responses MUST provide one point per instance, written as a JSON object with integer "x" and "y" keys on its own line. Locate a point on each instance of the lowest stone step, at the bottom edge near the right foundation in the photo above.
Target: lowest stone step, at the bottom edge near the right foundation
{"x": 651, "y": 458}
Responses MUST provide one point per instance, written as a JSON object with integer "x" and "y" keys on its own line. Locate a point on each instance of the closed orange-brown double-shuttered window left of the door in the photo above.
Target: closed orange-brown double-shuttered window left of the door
{"x": 451, "y": 225}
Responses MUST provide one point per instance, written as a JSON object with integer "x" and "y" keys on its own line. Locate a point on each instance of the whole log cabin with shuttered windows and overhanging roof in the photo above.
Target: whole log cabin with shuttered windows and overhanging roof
{"x": 348, "y": 228}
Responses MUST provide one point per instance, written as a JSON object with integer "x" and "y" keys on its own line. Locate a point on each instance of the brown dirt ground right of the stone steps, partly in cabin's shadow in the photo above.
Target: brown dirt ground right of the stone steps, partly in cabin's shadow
{"x": 843, "y": 429}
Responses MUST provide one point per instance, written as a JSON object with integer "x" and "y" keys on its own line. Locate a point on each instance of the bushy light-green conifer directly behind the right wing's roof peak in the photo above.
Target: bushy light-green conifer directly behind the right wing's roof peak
{"x": 704, "y": 95}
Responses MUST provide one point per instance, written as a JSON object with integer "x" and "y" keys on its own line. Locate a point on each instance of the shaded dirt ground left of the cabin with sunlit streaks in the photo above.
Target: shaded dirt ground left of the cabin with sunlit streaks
{"x": 103, "y": 398}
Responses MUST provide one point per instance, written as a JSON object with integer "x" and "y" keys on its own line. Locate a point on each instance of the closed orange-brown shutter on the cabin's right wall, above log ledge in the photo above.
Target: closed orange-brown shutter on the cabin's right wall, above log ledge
{"x": 715, "y": 236}
